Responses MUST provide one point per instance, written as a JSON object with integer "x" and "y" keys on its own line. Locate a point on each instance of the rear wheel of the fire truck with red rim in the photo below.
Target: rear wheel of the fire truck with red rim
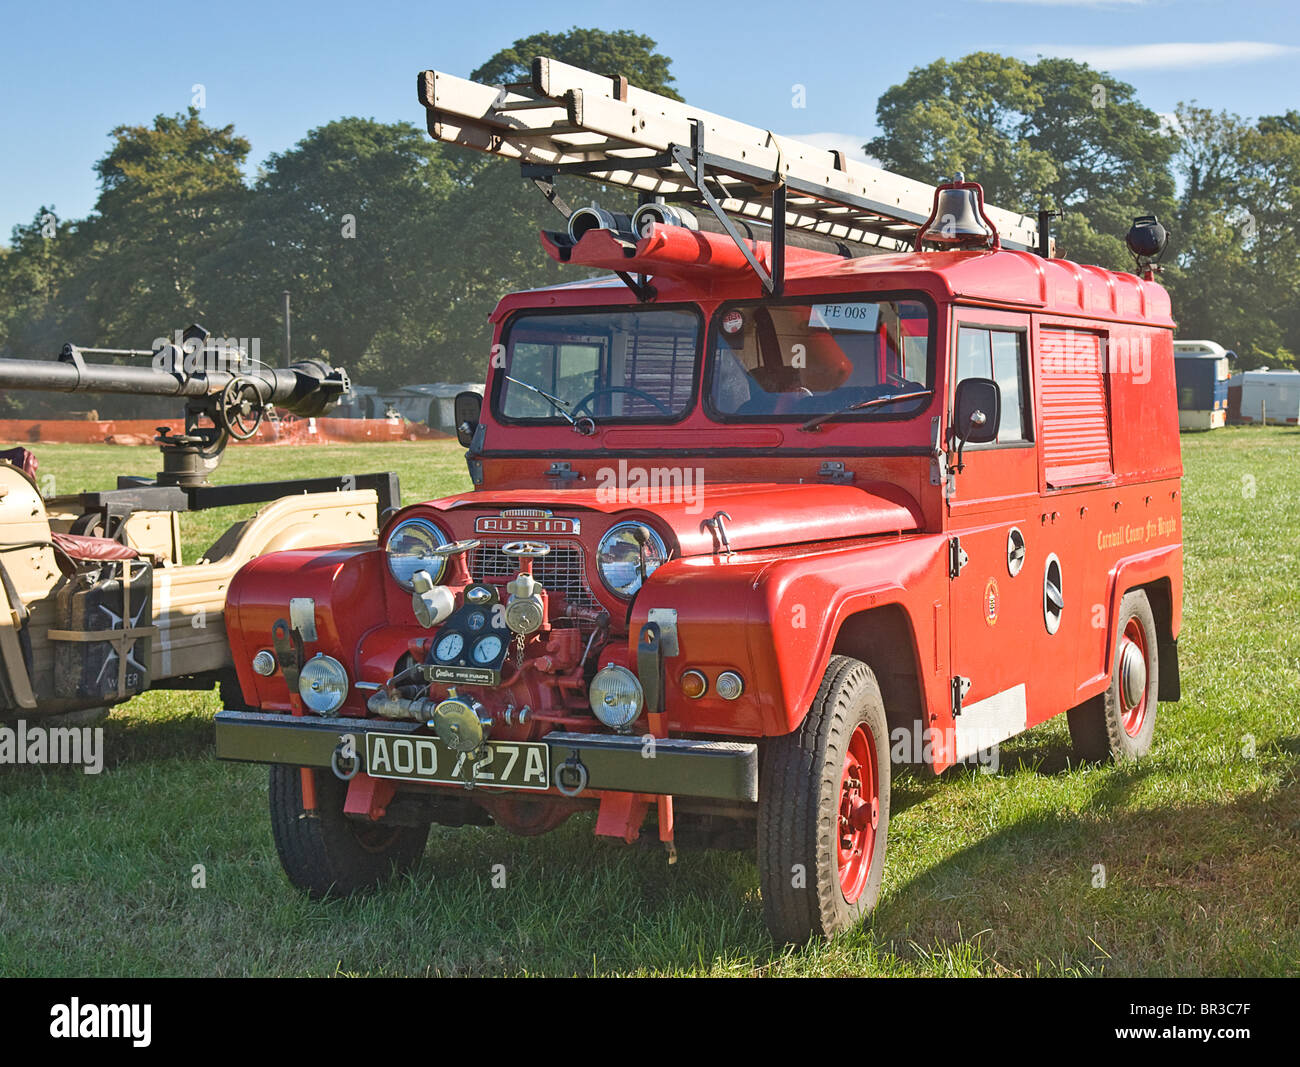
{"x": 1111, "y": 727}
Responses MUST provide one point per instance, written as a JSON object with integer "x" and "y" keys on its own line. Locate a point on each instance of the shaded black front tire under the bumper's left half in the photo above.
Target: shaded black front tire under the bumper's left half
{"x": 324, "y": 853}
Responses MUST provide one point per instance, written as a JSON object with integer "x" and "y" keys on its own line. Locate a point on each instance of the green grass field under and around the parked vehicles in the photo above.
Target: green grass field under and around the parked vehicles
{"x": 987, "y": 874}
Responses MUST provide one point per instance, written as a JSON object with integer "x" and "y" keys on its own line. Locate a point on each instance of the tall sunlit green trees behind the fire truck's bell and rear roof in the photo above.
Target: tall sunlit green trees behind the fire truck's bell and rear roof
{"x": 1058, "y": 133}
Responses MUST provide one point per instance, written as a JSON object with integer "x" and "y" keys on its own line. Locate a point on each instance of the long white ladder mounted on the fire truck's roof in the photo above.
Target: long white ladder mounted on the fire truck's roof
{"x": 571, "y": 122}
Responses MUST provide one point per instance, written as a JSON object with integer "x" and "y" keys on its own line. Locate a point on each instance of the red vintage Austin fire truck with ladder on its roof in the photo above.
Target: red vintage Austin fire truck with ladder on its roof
{"x": 829, "y": 471}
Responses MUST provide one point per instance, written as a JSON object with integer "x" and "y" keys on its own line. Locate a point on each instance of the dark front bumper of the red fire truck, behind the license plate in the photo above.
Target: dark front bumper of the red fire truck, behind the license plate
{"x": 720, "y": 770}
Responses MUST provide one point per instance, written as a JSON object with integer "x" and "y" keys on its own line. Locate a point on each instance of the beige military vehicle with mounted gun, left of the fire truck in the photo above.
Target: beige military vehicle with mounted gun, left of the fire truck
{"x": 96, "y": 601}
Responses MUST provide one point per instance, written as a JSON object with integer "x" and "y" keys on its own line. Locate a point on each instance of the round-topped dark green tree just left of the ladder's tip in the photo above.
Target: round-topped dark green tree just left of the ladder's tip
{"x": 348, "y": 222}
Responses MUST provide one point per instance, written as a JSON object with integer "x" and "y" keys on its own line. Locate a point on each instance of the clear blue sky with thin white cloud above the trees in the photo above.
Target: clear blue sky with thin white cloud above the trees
{"x": 72, "y": 72}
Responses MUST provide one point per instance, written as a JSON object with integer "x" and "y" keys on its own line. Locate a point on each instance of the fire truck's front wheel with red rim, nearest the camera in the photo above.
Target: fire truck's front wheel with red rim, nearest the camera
{"x": 803, "y": 786}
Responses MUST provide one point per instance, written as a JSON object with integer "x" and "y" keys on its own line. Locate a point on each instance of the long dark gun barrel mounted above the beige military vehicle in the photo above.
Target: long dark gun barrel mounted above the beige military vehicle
{"x": 310, "y": 388}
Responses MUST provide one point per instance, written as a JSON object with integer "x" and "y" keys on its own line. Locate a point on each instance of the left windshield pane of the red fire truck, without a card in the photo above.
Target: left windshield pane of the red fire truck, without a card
{"x": 600, "y": 365}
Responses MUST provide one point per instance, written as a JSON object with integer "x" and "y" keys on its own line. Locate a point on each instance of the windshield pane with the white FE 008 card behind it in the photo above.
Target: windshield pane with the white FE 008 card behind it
{"x": 809, "y": 359}
